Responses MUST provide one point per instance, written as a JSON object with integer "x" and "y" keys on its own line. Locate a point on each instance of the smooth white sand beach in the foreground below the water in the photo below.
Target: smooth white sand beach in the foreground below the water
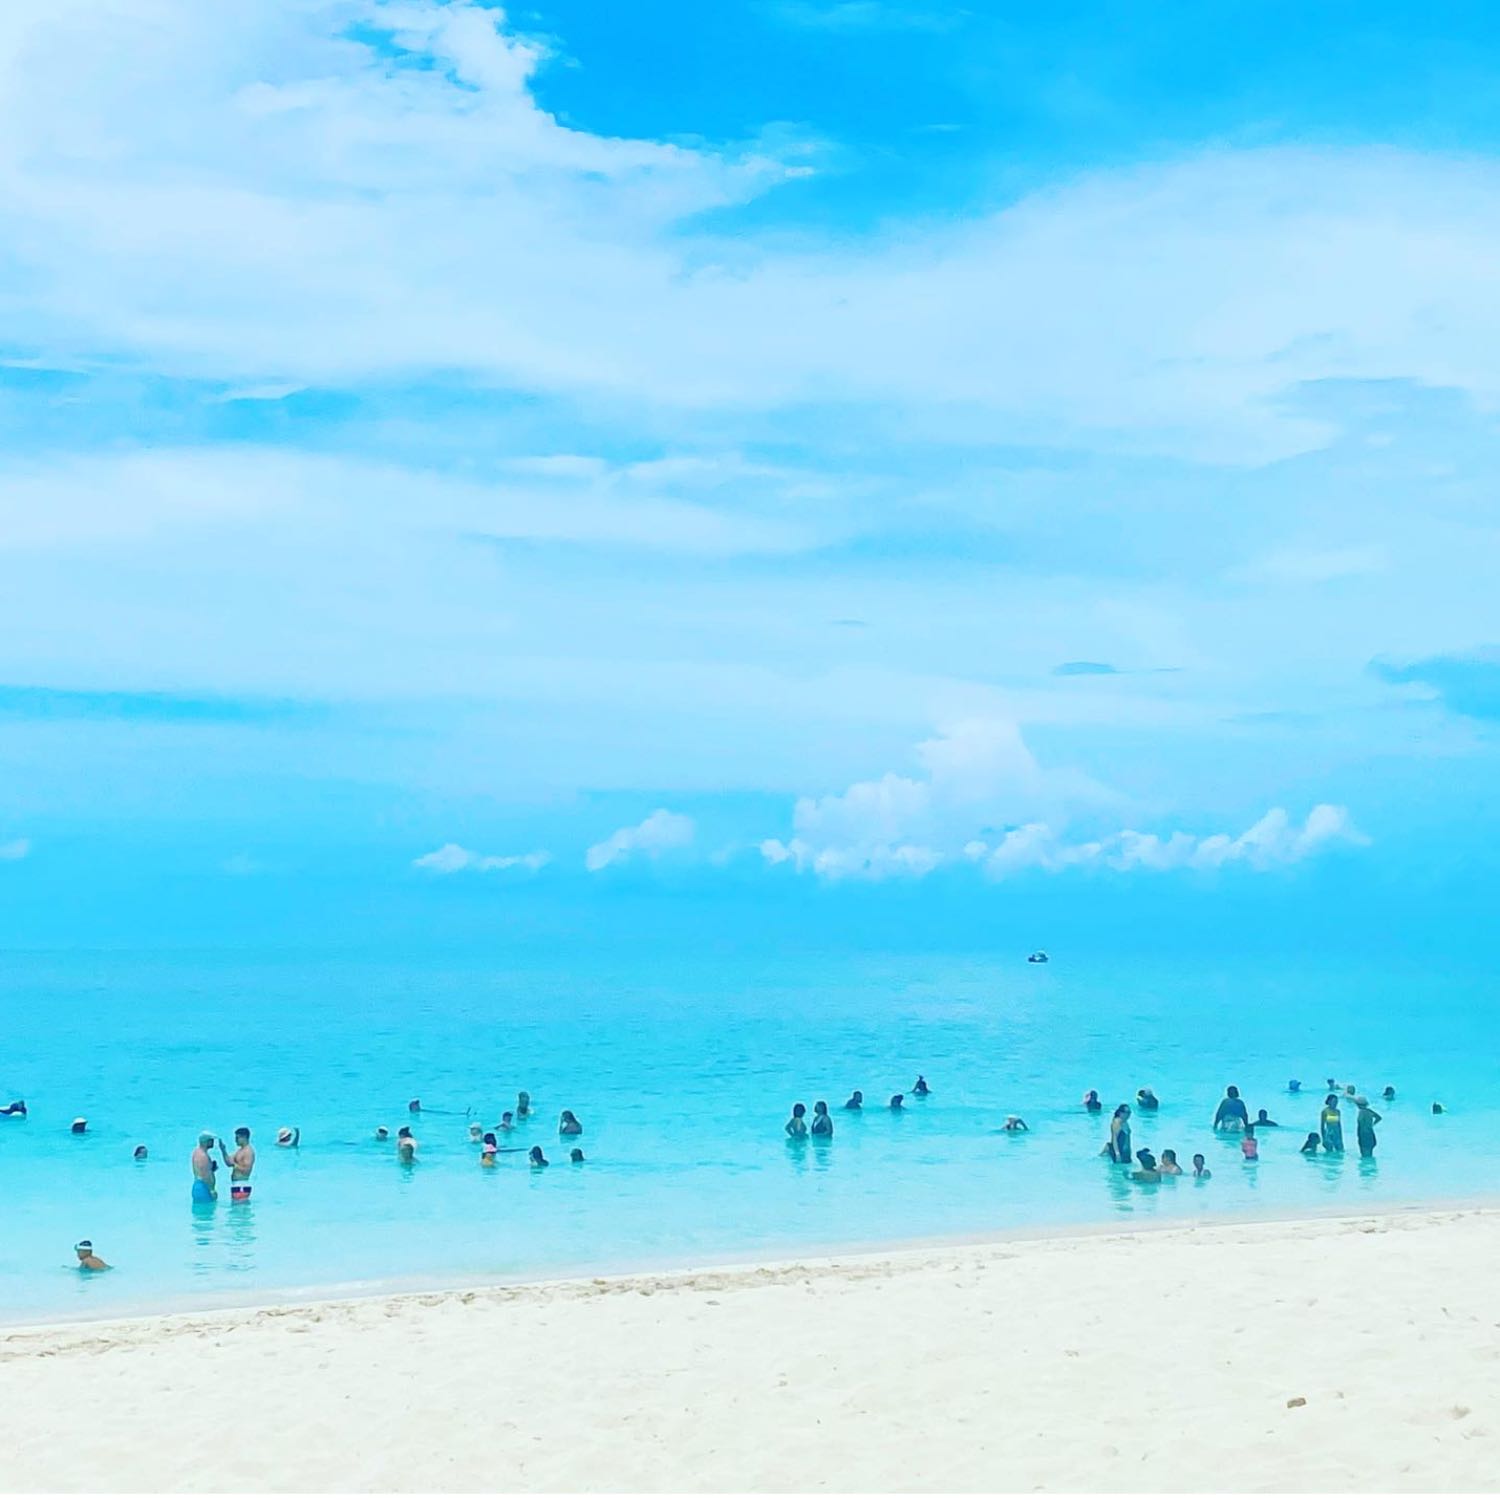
{"x": 1174, "y": 1360}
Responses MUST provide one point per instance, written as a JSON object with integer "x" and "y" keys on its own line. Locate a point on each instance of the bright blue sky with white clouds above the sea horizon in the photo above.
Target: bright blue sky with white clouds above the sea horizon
{"x": 917, "y": 463}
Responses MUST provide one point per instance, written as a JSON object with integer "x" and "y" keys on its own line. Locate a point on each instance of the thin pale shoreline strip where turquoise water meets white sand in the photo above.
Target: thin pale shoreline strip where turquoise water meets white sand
{"x": 776, "y": 1262}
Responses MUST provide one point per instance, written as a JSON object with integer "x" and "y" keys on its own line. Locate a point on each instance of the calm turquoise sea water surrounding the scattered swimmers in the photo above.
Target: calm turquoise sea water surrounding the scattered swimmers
{"x": 683, "y": 1072}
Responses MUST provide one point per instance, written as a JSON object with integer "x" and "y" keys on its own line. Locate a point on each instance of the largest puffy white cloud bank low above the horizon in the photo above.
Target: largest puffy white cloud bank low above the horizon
{"x": 980, "y": 775}
